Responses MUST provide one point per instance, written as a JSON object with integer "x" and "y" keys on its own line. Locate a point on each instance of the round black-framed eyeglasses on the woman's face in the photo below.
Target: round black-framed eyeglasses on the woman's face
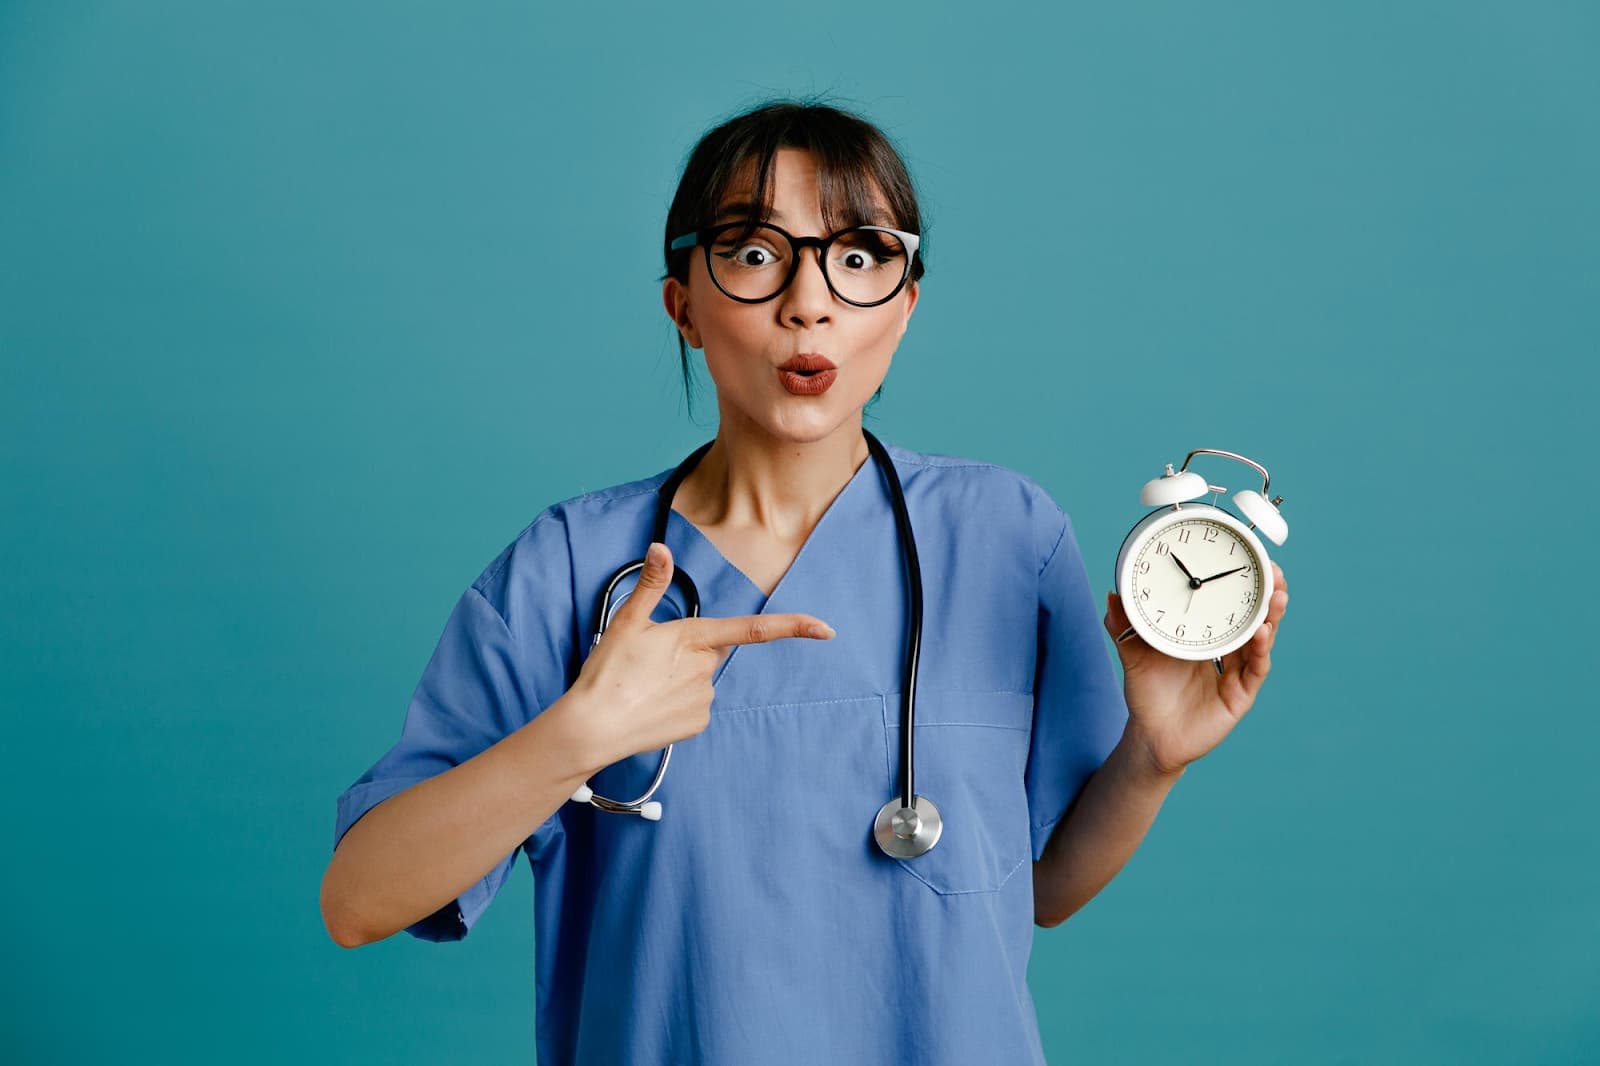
{"x": 754, "y": 262}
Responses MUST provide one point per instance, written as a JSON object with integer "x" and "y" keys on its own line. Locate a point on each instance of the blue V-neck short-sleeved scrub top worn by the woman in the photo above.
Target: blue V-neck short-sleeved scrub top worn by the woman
{"x": 758, "y": 921}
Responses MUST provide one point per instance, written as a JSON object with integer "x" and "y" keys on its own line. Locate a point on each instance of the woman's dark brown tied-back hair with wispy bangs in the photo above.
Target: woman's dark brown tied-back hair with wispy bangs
{"x": 854, "y": 161}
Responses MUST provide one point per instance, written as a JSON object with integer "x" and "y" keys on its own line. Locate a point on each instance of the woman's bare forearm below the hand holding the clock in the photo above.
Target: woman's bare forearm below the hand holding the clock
{"x": 1100, "y": 832}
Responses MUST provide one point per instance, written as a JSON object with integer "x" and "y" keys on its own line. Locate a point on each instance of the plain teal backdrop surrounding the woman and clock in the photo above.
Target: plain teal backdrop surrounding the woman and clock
{"x": 308, "y": 310}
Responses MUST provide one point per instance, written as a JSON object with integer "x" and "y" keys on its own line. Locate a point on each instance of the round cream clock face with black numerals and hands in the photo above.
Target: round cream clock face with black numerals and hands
{"x": 1198, "y": 583}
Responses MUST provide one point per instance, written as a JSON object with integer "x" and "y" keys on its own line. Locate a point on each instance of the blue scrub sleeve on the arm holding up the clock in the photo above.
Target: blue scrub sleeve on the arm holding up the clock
{"x": 1079, "y": 707}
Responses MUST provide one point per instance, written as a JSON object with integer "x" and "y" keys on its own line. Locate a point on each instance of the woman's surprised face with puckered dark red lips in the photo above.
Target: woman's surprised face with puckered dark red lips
{"x": 746, "y": 343}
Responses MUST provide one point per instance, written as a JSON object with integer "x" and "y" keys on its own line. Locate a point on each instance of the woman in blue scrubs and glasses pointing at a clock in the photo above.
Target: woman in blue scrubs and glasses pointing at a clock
{"x": 783, "y": 908}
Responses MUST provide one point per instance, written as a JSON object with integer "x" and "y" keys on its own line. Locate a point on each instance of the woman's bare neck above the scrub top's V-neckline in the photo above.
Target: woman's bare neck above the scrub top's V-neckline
{"x": 753, "y": 481}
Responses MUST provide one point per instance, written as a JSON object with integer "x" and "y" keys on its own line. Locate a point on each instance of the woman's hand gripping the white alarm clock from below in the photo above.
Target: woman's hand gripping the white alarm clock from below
{"x": 1182, "y": 710}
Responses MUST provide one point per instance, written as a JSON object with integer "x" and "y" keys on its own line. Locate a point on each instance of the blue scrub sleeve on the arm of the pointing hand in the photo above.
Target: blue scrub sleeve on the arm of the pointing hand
{"x": 484, "y": 681}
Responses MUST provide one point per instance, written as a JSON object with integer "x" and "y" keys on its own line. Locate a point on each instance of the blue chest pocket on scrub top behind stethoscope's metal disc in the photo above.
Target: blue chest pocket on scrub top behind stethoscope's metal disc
{"x": 972, "y": 755}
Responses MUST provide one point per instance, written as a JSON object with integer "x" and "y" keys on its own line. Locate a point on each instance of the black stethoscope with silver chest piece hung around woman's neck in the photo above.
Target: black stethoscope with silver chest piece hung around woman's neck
{"x": 908, "y": 825}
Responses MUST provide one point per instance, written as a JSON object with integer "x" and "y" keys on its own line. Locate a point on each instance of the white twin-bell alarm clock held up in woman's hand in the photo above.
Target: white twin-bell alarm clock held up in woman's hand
{"x": 1194, "y": 580}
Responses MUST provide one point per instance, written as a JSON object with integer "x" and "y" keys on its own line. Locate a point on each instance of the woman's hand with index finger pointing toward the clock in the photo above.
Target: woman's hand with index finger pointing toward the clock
{"x": 647, "y": 684}
